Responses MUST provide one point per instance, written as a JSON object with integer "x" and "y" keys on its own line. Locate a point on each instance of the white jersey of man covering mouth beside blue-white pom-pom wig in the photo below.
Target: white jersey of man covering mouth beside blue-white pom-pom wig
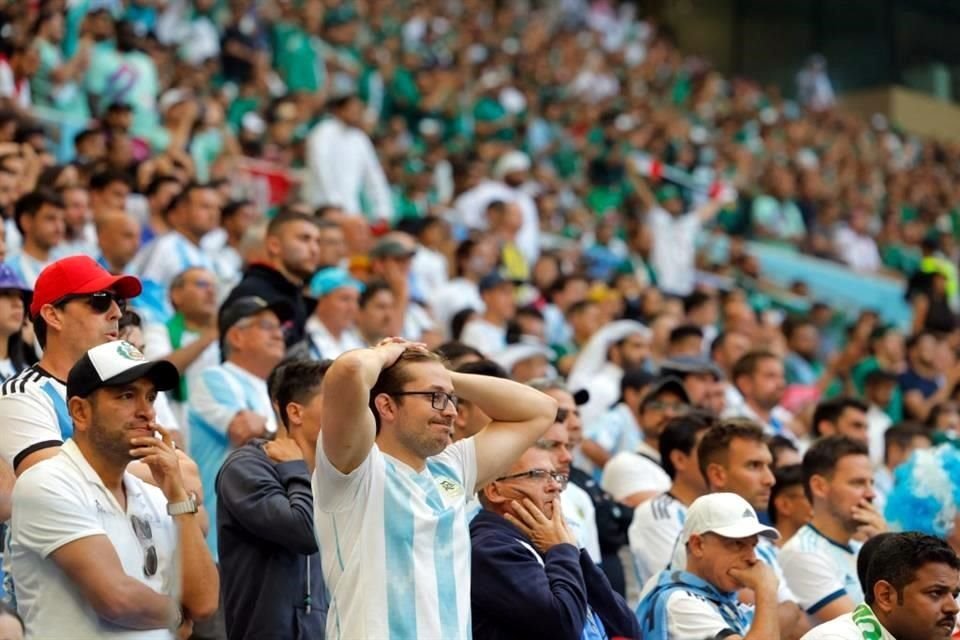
{"x": 820, "y": 570}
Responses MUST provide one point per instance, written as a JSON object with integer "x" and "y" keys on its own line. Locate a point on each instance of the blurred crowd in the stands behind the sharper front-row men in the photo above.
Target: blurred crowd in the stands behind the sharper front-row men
{"x": 556, "y": 187}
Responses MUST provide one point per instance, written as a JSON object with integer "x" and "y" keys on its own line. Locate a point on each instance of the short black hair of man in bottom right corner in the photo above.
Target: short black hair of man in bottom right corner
{"x": 898, "y": 558}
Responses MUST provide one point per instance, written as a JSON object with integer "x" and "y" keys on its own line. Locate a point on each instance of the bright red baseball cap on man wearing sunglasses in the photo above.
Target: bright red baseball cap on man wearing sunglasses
{"x": 78, "y": 275}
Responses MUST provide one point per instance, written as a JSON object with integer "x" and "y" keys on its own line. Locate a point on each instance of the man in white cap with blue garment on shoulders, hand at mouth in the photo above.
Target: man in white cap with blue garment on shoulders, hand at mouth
{"x": 720, "y": 536}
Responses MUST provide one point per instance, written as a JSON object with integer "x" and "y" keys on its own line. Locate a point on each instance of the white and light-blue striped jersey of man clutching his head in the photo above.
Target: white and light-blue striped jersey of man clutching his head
{"x": 396, "y": 544}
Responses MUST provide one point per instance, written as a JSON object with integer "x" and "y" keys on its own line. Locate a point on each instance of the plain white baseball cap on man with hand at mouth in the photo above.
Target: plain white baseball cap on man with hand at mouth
{"x": 725, "y": 514}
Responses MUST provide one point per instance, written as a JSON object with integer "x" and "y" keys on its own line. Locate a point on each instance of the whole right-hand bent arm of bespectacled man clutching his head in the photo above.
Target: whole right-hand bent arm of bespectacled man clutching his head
{"x": 519, "y": 416}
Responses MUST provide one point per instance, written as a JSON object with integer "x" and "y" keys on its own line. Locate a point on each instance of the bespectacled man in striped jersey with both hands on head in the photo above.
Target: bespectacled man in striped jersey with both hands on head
{"x": 391, "y": 486}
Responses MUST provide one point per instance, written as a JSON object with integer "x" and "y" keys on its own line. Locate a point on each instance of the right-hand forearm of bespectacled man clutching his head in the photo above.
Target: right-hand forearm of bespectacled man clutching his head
{"x": 502, "y": 400}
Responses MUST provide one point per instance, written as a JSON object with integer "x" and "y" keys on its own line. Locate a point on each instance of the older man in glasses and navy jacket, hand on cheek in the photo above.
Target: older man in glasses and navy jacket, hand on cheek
{"x": 521, "y": 544}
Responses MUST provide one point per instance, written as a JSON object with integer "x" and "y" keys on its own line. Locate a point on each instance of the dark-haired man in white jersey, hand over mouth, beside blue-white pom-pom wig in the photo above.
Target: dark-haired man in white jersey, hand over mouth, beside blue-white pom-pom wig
{"x": 820, "y": 560}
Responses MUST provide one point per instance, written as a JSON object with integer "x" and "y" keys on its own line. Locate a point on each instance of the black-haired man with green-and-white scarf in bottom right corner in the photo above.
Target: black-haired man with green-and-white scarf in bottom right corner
{"x": 911, "y": 582}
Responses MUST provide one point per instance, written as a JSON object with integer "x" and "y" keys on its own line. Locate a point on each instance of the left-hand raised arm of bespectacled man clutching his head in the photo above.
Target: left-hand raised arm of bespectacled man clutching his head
{"x": 348, "y": 425}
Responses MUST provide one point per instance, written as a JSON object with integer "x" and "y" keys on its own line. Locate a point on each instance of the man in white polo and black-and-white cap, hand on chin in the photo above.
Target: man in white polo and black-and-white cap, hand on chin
{"x": 96, "y": 552}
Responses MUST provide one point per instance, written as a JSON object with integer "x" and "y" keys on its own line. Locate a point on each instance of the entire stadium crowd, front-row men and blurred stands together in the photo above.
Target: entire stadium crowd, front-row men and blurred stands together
{"x": 555, "y": 199}
